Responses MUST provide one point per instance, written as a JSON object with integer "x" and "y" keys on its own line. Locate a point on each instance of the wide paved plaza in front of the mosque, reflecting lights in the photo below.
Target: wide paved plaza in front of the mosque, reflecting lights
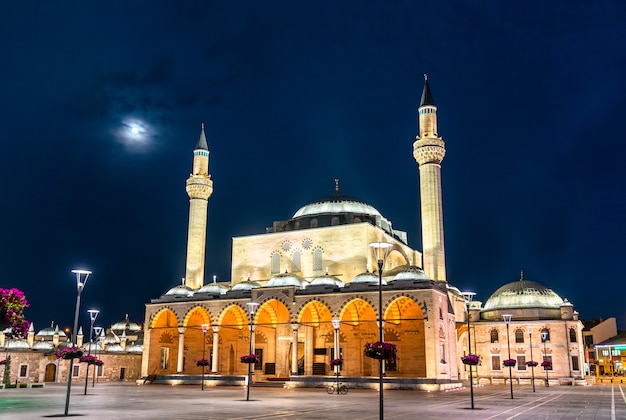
{"x": 124, "y": 401}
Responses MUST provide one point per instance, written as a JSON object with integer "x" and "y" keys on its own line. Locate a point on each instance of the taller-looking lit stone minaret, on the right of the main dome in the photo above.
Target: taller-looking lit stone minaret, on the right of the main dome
{"x": 429, "y": 150}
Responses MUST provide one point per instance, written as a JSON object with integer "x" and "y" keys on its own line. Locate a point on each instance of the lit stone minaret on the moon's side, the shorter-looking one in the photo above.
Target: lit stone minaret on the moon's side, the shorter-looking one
{"x": 199, "y": 188}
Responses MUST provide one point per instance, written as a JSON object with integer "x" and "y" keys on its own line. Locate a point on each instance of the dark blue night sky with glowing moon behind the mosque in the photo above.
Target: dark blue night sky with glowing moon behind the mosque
{"x": 102, "y": 104}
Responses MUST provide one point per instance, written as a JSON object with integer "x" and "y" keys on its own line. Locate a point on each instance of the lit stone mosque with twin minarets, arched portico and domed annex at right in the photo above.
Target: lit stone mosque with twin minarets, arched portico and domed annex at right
{"x": 310, "y": 289}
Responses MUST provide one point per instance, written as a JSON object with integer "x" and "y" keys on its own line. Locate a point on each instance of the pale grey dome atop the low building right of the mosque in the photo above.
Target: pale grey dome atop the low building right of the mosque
{"x": 523, "y": 294}
